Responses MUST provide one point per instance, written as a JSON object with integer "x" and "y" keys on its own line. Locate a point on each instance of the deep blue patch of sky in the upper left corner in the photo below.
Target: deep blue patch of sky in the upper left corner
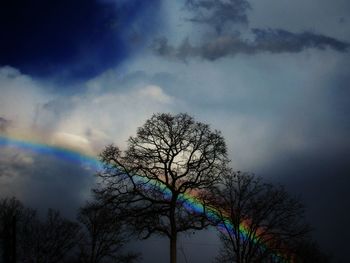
{"x": 73, "y": 39}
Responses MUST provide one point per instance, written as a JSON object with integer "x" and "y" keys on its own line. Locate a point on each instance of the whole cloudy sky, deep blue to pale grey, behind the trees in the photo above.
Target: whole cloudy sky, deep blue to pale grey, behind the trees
{"x": 272, "y": 75}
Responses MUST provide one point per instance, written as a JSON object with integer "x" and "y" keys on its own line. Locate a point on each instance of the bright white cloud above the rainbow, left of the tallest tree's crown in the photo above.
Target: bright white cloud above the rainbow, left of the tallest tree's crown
{"x": 109, "y": 111}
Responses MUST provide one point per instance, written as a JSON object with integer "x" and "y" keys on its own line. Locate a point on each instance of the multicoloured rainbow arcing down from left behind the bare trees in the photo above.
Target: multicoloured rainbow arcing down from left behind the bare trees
{"x": 190, "y": 201}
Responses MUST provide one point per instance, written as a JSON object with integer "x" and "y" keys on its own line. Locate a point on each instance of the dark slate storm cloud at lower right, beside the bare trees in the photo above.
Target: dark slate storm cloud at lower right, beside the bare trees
{"x": 321, "y": 178}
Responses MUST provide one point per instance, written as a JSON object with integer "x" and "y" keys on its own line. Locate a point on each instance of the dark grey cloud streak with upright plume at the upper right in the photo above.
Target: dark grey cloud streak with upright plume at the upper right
{"x": 229, "y": 39}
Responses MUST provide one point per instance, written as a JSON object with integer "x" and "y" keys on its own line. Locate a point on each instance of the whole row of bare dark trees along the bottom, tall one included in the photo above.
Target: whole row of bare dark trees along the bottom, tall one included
{"x": 147, "y": 189}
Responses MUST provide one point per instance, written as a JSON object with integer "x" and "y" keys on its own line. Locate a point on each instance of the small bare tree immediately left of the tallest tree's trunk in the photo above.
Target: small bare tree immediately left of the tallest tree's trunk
{"x": 104, "y": 236}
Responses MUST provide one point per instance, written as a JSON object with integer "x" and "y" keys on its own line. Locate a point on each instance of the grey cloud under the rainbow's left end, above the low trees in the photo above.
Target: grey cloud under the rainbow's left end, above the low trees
{"x": 44, "y": 181}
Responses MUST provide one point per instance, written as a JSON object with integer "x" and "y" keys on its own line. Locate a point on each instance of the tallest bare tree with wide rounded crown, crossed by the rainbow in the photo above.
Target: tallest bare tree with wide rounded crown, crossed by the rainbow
{"x": 171, "y": 156}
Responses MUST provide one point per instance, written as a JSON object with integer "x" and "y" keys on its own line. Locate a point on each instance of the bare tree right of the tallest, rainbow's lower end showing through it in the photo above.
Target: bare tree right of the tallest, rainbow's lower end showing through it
{"x": 259, "y": 222}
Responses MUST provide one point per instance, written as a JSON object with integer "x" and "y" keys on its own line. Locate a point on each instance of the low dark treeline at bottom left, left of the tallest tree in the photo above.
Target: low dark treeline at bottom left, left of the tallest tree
{"x": 97, "y": 236}
